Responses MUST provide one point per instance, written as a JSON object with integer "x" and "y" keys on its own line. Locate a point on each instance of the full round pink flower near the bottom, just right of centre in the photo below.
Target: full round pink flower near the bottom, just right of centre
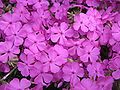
{"x": 72, "y": 72}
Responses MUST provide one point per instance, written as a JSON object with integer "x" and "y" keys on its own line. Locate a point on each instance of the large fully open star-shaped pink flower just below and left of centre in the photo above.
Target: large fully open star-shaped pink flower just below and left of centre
{"x": 52, "y": 61}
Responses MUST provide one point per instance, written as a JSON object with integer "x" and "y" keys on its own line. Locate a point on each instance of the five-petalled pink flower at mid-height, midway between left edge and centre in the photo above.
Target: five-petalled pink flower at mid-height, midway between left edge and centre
{"x": 35, "y": 42}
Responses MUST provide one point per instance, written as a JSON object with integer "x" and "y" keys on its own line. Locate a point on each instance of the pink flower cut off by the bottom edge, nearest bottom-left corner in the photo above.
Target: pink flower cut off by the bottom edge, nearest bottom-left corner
{"x": 17, "y": 84}
